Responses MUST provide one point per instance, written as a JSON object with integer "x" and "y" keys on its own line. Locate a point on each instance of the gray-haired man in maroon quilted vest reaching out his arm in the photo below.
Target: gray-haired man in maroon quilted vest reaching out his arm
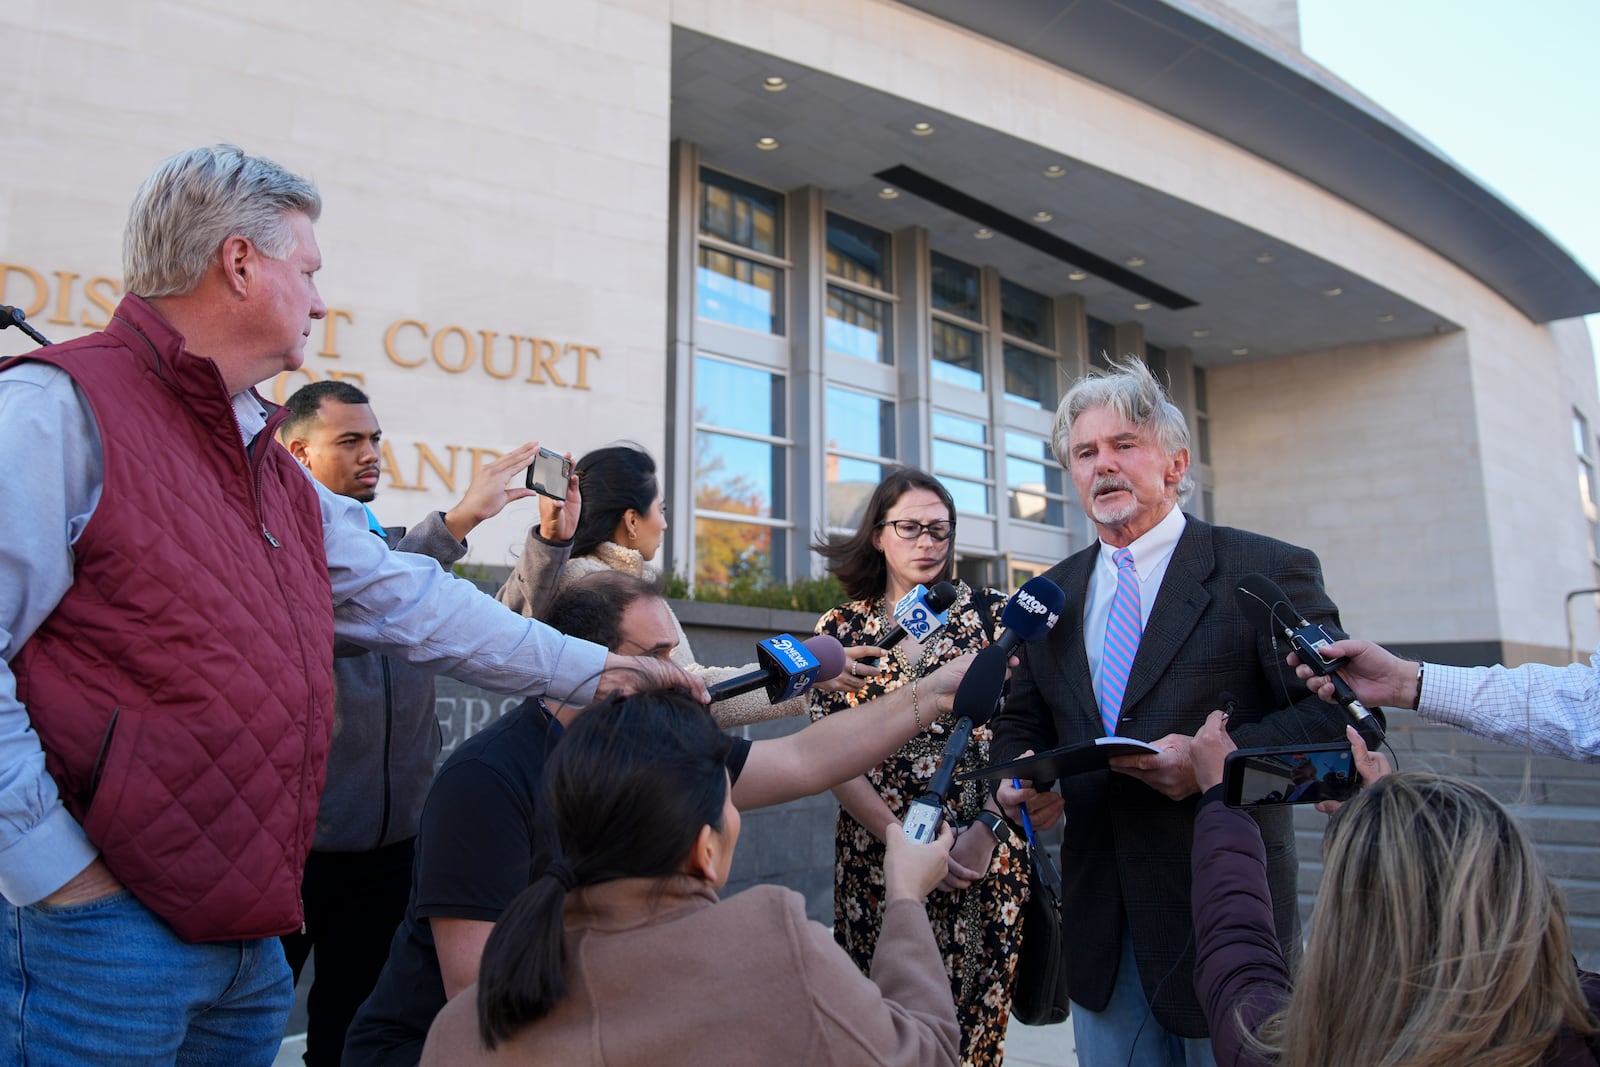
{"x": 170, "y": 591}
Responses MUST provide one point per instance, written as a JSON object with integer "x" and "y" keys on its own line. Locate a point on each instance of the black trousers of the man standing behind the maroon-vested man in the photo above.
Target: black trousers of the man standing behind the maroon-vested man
{"x": 354, "y": 905}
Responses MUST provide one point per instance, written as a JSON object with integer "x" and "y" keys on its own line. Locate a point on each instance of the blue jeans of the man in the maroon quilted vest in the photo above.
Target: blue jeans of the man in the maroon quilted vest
{"x": 110, "y": 983}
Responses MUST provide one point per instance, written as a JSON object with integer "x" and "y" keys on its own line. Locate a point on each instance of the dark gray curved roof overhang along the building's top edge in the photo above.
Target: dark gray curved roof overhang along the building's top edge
{"x": 1204, "y": 68}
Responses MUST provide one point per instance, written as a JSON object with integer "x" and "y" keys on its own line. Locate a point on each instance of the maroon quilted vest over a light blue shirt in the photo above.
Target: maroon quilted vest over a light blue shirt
{"x": 183, "y": 690}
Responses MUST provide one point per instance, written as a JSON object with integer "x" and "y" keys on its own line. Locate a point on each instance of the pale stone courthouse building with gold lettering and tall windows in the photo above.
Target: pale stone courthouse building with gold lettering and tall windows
{"x": 785, "y": 244}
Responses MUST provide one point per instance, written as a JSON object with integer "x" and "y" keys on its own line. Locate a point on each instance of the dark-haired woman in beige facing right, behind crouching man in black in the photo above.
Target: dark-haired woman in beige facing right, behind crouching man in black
{"x": 622, "y": 518}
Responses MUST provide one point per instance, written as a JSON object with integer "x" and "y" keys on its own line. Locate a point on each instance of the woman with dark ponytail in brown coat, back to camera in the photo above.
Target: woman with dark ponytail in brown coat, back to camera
{"x": 622, "y": 951}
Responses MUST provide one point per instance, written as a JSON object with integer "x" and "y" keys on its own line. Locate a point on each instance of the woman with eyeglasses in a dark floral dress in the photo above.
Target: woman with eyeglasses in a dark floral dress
{"x": 908, "y": 540}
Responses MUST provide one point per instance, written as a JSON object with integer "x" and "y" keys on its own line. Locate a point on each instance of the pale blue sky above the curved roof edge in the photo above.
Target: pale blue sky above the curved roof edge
{"x": 1511, "y": 92}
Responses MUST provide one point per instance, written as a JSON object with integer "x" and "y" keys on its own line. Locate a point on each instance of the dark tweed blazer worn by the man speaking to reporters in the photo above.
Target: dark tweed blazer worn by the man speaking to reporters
{"x": 1126, "y": 849}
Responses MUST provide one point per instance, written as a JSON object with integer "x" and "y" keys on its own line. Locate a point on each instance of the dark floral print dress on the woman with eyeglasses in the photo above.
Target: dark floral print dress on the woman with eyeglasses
{"x": 977, "y": 929}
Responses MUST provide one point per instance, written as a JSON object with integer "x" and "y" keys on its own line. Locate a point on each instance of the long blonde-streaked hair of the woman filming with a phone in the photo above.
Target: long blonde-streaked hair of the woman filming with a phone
{"x": 1438, "y": 940}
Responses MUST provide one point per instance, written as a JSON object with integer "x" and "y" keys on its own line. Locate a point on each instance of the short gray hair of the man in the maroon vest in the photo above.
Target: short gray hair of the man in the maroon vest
{"x": 199, "y": 199}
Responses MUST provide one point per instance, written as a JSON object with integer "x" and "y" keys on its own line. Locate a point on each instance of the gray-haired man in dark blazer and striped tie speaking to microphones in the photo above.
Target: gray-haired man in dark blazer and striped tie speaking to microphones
{"x": 1148, "y": 642}
